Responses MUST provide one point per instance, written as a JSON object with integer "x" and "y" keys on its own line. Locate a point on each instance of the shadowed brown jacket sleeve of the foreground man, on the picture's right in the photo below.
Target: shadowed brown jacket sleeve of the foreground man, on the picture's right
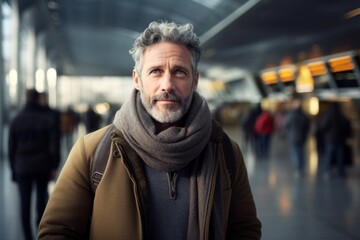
{"x": 243, "y": 221}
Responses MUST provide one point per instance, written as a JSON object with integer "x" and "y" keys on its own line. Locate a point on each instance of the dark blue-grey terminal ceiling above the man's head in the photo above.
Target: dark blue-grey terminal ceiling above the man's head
{"x": 93, "y": 37}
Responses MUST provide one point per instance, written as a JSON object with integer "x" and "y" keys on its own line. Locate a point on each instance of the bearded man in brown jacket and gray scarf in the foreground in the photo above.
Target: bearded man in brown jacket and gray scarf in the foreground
{"x": 167, "y": 178}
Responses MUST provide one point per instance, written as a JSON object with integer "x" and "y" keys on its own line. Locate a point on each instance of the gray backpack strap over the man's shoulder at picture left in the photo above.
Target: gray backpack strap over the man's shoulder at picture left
{"x": 100, "y": 158}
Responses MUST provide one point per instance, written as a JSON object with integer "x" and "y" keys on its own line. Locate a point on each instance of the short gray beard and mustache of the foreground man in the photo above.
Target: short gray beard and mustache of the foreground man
{"x": 170, "y": 113}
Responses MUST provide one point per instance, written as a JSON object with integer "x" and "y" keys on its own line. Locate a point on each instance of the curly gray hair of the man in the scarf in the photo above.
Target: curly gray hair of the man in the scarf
{"x": 166, "y": 31}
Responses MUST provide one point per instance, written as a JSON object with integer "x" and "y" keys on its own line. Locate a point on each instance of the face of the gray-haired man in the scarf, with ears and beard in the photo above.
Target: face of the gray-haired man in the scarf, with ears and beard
{"x": 166, "y": 81}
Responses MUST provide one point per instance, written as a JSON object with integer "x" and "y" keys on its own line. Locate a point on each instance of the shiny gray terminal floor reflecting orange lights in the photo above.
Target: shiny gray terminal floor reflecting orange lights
{"x": 290, "y": 208}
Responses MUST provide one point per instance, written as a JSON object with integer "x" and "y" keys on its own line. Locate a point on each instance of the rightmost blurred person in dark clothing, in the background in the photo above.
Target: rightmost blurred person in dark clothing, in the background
{"x": 335, "y": 129}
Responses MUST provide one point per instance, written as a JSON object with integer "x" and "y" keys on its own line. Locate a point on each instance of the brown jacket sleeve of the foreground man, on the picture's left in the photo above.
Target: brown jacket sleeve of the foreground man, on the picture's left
{"x": 68, "y": 212}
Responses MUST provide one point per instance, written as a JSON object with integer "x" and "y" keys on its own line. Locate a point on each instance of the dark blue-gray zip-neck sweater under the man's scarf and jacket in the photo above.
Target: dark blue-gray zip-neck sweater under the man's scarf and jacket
{"x": 168, "y": 209}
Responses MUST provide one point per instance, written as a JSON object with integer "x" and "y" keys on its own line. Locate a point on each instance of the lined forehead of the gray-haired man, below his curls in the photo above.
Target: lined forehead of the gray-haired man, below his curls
{"x": 163, "y": 52}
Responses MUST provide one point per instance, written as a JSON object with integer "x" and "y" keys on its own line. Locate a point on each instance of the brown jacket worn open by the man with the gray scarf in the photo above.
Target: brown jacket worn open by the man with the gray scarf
{"x": 73, "y": 212}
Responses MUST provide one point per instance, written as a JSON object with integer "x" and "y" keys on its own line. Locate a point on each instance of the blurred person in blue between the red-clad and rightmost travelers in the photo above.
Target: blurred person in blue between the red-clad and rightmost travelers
{"x": 297, "y": 124}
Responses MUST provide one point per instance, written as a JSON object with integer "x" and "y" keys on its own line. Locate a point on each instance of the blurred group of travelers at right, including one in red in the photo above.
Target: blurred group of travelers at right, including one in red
{"x": 294, "y": 127}
